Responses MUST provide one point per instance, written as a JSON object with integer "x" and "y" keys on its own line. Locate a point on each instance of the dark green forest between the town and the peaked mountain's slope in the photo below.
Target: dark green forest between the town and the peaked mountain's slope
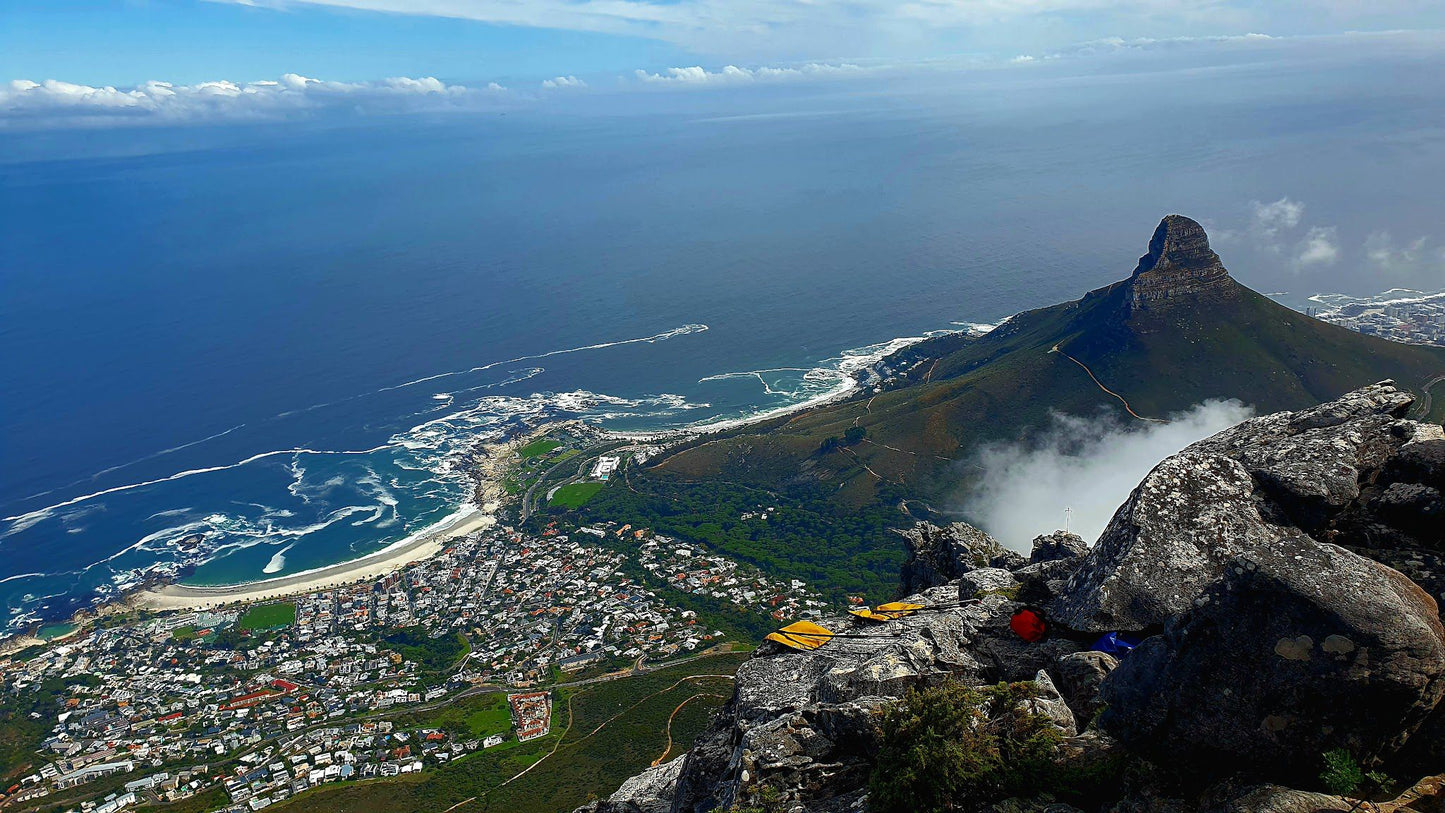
{"x": 808, "y": 538}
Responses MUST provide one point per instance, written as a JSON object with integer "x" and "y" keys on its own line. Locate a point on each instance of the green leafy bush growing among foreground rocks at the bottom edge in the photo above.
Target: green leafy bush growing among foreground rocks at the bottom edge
{"x": 953, "y": 744}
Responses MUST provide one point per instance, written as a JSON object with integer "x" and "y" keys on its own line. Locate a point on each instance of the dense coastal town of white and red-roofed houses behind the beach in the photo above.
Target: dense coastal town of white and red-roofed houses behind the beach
{"x": 268, "y": 700}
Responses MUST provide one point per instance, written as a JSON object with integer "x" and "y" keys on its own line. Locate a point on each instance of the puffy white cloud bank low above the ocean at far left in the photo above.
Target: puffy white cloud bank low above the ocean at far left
{"x": 56, "y": 103}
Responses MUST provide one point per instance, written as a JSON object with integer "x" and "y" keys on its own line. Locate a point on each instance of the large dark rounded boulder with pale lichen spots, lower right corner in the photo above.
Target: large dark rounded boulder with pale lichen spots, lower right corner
{"x": 1297, "y": 652}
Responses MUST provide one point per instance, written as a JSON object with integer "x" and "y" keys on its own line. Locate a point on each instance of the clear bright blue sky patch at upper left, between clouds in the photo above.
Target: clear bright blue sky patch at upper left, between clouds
{"x": 128, "y": 43}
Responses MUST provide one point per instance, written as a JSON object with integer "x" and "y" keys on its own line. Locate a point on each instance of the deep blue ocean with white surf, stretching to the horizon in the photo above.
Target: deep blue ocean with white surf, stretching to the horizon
{"x": 278, "y": 337}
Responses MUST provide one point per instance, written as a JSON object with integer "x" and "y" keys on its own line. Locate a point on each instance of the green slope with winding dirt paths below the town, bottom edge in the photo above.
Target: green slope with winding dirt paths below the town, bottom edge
{"x": 618, "y": 730}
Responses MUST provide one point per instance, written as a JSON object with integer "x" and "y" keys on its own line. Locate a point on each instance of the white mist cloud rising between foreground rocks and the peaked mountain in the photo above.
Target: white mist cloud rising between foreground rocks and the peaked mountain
{"x": 1087, "y": 466}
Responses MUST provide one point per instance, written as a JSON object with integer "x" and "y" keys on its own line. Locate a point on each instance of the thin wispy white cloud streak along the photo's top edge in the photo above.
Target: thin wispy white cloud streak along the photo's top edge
{"x": 810, "y": 30}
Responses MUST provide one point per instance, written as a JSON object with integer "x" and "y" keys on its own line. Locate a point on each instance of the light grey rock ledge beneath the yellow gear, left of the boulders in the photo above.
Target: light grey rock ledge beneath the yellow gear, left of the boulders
{"x": 803, "y": 723}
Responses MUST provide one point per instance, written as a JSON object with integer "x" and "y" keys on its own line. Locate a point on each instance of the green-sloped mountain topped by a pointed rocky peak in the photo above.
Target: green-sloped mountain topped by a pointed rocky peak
{"x": 1177, "y": 333}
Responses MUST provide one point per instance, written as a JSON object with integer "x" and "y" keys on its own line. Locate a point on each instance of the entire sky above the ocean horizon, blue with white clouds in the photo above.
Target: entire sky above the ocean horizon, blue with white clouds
{"x": 74, "y": 53}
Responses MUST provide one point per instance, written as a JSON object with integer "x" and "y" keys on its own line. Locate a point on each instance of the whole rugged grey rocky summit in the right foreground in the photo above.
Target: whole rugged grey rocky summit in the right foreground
{"x": 1284, "y": 578}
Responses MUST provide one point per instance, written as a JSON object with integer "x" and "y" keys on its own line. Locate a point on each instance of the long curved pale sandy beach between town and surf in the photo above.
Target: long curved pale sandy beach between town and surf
{"x": 366, "y": 568}
